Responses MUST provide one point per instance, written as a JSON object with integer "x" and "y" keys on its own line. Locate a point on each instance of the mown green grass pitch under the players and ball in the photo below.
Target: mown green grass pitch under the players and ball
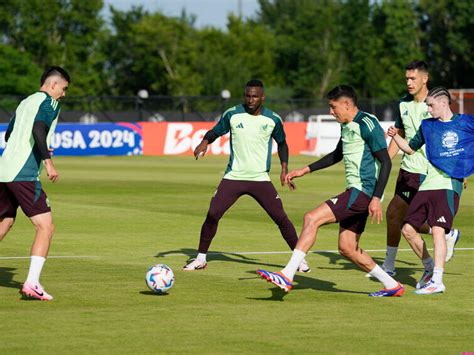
{"x": 115, "y": 217}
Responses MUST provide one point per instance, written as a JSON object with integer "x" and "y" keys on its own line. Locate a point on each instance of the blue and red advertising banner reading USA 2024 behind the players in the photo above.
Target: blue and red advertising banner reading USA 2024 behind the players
{"x": 178, "y": 138}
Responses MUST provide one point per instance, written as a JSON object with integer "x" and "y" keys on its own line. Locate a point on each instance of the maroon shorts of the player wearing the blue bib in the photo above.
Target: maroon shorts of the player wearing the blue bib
{"x": 436, "y": 207}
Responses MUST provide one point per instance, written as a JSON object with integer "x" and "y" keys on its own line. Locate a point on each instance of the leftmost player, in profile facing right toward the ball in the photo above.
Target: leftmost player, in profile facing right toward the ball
{"x": 28, "y": 137}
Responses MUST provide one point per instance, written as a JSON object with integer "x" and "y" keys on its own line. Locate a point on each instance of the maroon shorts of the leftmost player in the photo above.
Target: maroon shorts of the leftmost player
{"x": 29, "y": 195}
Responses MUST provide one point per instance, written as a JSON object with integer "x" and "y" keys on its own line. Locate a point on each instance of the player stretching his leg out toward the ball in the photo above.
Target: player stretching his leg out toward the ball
{"x": 362, "y": 147}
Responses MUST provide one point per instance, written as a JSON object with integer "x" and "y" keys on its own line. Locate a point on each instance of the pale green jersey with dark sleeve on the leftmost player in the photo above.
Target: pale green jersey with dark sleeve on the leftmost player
{"x": 20, "y": 161}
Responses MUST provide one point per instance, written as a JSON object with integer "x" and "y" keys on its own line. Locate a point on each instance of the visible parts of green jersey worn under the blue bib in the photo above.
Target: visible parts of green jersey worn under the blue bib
{"x": 436, "y": 179}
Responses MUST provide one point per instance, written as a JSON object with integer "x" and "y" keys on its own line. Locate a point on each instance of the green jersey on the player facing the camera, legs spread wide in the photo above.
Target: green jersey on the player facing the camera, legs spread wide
{"x": 250, "y": 142}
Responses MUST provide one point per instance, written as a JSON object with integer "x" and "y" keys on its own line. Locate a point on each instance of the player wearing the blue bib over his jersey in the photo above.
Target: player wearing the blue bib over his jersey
{"x": 449, "y": 141}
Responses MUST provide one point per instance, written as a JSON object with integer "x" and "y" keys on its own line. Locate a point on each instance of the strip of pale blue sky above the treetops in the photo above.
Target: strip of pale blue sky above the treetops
{"x": 209, "y": 12}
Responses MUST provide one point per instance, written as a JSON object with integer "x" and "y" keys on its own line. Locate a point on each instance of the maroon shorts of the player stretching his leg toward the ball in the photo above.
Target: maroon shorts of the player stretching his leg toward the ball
{"x": 351, "y": 209}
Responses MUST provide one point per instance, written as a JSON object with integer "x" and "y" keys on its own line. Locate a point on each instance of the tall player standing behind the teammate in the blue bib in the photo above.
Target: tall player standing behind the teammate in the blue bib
{"x": 413, "y": 169}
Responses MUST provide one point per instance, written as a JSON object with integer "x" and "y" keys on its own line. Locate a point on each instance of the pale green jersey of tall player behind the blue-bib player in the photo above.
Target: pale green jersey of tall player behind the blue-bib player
{"x": 409, "y": 119}
